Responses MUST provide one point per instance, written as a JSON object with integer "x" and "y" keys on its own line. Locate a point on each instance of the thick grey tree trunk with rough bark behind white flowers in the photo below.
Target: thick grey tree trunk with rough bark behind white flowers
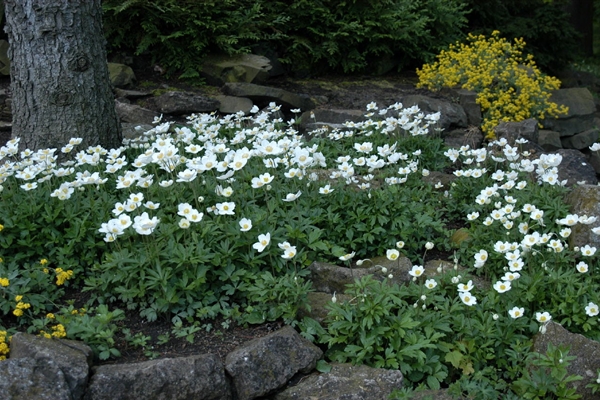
{"x": 59, "y": 75}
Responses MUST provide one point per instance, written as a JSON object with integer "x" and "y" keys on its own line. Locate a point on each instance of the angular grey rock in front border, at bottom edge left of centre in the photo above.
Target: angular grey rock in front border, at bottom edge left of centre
{"x": 265, "y": 364}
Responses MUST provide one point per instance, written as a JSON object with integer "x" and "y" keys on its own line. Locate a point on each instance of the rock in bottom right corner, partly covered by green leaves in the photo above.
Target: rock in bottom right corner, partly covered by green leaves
{"x": 586, "y": 350}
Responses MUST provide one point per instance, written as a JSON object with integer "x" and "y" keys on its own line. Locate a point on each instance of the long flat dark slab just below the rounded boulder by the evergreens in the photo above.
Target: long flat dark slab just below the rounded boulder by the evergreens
{"x": 263, "y": 95}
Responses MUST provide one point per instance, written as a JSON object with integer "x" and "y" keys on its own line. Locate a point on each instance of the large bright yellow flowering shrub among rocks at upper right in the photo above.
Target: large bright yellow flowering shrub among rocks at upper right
{"x": 509, "y": 86}
